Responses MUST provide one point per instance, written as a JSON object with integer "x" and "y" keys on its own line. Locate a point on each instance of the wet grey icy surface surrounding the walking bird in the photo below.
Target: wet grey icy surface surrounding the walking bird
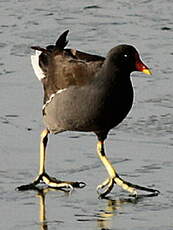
{"x": 144, "y": 138}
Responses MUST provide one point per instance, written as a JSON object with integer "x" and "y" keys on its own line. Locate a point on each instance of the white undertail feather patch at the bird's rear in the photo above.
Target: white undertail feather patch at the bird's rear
{"x": 35, "y": 64}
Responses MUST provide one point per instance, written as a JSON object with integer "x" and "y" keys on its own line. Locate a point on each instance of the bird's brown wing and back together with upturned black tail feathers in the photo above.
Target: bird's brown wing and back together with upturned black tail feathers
{"x": 66, "y": 67}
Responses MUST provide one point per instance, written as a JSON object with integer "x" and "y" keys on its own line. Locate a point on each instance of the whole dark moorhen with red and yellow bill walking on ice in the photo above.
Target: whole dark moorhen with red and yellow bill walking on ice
{"x": 86, "y": 93}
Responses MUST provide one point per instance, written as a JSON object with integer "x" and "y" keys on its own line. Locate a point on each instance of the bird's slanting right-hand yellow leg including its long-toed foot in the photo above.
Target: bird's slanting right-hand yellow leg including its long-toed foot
{"x": 114, "y": 178}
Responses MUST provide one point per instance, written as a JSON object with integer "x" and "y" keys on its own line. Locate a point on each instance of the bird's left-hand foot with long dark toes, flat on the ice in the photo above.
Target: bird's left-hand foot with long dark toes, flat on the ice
{"x": 45, "y": 180}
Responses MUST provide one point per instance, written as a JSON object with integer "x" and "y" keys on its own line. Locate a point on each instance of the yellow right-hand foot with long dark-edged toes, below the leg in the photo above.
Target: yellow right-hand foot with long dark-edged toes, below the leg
{"x": 106, "y": 187}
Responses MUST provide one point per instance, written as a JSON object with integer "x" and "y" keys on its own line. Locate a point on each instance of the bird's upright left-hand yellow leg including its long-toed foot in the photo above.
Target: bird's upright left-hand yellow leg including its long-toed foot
{"x": 43, "y": 177}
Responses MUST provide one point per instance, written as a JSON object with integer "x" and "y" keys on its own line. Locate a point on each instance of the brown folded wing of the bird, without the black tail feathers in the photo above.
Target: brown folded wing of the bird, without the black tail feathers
{"x": 63, "y": 70}
